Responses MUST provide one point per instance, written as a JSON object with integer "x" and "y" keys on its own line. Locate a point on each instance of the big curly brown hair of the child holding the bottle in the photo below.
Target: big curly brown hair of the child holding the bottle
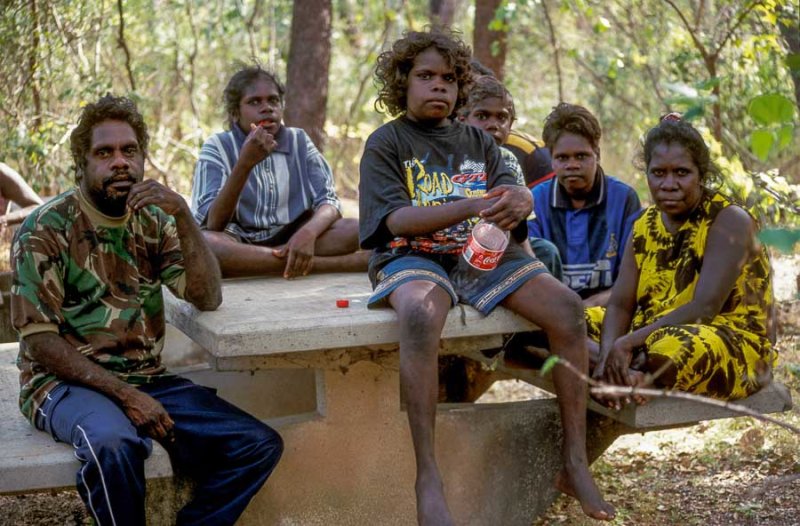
{"x": 393, "y": 66}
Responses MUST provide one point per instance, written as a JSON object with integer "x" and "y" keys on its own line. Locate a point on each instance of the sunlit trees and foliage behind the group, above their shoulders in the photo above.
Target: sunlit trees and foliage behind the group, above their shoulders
{"x": 731, "y": 66}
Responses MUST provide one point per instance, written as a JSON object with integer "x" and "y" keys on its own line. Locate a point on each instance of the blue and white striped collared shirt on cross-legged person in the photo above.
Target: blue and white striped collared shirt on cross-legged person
{"x": 293, "y": 179}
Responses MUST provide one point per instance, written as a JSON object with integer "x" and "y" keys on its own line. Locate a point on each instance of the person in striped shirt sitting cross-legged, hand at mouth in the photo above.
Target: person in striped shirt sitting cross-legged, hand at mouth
{"x": 265, "y": 195}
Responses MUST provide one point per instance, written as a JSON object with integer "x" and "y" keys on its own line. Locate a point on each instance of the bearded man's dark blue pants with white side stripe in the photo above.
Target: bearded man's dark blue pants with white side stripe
{"x": 227, "y": 452}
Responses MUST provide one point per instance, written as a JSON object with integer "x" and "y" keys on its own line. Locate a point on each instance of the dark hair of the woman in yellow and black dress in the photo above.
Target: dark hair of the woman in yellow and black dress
{"x": 675, "y": 130}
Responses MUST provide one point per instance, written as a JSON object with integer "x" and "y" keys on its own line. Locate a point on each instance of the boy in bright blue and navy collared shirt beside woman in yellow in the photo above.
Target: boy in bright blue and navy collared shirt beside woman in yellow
{"x": 587, "y": 214}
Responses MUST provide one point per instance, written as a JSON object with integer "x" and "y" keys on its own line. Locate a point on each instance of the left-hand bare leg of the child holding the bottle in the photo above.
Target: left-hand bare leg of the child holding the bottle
{"x": 422, "y": 308}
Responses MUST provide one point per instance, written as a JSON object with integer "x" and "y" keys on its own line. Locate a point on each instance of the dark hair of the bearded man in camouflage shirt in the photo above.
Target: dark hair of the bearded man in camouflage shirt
{"x": 107, "y": 108}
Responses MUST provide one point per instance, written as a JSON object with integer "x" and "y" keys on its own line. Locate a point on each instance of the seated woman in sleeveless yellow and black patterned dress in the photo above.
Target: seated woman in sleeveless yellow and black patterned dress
{"x": 691, "y": 309}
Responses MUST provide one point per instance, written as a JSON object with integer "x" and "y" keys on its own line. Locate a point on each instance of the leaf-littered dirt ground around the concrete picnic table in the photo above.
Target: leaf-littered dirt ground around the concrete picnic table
{"x": 734, "y": 472}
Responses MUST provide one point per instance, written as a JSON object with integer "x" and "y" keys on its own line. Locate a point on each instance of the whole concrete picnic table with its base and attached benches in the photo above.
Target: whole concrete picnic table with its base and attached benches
{"x": 328, "y": 379}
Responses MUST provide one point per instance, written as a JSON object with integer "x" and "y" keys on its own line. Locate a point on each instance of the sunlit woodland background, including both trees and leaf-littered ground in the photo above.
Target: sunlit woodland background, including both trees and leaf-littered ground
{"x": 731, "y": 66}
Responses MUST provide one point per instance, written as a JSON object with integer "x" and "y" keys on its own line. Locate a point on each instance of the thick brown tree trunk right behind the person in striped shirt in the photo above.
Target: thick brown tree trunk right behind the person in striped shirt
{"x": 307, "y": 72}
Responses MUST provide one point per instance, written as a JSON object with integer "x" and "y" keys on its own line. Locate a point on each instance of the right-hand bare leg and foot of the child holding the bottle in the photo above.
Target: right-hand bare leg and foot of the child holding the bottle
{"x": 559, "y": 311}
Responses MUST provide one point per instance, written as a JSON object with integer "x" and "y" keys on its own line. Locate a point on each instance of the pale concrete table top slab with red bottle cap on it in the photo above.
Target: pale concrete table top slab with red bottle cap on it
{"x": 268, "y": 316}
